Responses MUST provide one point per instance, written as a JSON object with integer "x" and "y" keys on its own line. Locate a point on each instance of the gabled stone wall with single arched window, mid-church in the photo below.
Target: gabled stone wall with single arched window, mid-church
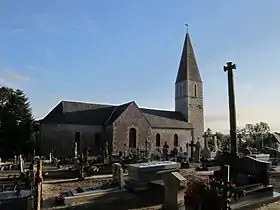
{"x": 131, "y": 118}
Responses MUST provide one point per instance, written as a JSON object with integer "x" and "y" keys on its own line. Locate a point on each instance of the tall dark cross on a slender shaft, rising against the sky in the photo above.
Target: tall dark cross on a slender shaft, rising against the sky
{"x": 232, "y": 112}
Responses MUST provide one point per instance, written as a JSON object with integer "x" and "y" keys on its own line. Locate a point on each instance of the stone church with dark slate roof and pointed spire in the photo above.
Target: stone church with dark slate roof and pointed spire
{"x": 126, "y": 127}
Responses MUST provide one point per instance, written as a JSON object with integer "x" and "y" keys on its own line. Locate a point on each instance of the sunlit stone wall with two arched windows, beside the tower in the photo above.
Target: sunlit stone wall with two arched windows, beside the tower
{"x": 168, "y": 135}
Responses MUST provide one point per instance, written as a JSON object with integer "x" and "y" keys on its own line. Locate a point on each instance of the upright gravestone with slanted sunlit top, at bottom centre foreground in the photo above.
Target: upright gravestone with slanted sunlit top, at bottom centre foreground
{"x": 172, "y": 183}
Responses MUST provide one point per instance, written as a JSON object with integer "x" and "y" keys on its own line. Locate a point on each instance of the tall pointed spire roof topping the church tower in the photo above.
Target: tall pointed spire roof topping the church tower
{"x": 188, "y": 68}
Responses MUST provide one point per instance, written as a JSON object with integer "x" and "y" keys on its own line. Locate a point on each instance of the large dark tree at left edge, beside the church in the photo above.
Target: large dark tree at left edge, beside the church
{"x": 16, "y": 122}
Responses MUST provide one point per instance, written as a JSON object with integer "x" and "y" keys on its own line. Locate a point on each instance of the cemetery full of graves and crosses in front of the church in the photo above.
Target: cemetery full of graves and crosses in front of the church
{"x": 217, "y": 178}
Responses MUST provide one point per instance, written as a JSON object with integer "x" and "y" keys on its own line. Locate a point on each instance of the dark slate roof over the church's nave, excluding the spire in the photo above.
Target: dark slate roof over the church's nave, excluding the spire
{"x": 70, "y": 112}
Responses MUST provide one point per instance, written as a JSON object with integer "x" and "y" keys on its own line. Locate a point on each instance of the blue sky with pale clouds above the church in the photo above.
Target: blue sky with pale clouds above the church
{"x": 116, "y": 51}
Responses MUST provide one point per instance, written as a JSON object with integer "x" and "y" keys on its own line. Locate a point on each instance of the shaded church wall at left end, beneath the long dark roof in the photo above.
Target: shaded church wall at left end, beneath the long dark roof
{"x": 60, "y": 138}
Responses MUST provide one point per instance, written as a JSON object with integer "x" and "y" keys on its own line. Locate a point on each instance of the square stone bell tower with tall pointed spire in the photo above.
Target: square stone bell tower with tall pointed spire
{"x": 189, "y": 90}
